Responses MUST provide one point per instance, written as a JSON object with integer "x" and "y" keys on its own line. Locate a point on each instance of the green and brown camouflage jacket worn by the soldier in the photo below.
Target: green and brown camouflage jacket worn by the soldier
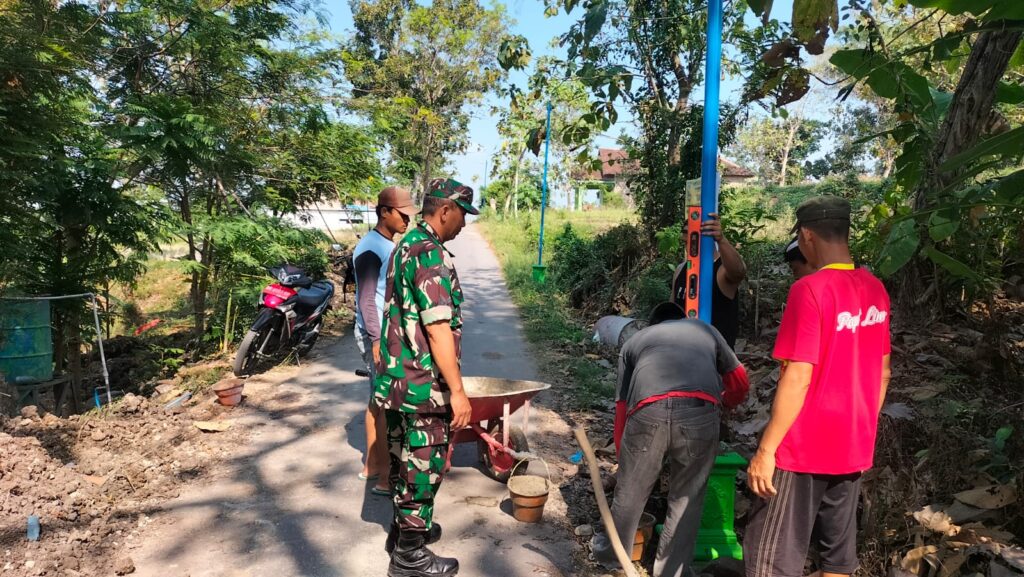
{"x": 422, "y": 288}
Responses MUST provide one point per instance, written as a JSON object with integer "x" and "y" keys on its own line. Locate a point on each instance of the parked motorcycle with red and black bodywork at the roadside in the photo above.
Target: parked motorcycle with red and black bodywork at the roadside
{"x": 290, "y": 318}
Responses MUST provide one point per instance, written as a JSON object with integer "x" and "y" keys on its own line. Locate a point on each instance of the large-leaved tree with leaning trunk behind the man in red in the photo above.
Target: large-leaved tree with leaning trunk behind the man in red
{"x": 959, "y": 155}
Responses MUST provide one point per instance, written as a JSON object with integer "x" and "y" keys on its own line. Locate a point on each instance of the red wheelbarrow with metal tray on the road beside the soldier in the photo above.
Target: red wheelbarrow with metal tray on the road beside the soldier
{"x": 500, "y": 445}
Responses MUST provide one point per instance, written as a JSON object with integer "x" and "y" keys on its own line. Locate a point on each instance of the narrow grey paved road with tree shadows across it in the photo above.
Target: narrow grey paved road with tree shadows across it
{"x": 290, "y": 504}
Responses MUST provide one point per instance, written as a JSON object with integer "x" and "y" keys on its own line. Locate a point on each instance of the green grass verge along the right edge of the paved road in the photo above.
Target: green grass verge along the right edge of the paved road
{"x": 560, "y": 341}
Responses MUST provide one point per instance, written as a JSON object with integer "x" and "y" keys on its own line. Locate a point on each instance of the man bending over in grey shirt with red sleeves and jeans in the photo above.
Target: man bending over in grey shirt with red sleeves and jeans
{"x": 673, "y": 379}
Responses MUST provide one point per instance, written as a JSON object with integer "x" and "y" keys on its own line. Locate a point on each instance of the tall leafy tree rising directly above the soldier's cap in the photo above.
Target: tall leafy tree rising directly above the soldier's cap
{"x": 416, "y": 71}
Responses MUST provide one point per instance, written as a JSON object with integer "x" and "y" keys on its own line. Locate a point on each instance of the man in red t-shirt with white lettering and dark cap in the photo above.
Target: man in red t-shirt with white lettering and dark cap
{"x": 834, "y": 346}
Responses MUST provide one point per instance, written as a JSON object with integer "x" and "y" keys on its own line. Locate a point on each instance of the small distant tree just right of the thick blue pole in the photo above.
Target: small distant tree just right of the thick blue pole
{"x": 779, "y": 147}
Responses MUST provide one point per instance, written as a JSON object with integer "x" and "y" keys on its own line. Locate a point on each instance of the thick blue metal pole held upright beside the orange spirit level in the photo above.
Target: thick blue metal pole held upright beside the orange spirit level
{"x": 709, "y": 157}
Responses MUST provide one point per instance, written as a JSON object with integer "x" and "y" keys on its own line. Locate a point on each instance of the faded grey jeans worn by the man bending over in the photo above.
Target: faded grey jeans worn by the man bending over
{"x": 687, "y": 436}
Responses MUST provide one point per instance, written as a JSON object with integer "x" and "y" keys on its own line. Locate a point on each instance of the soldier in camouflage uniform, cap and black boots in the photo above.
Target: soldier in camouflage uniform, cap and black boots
{"x": 420, "y": 387}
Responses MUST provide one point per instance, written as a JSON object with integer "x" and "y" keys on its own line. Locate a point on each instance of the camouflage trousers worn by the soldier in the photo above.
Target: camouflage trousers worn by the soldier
{"x": 419, "y": 446}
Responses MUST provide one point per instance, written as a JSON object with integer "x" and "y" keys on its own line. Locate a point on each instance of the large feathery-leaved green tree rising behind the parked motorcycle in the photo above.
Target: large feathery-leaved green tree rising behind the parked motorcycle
{"x": 223, "y": 110}
